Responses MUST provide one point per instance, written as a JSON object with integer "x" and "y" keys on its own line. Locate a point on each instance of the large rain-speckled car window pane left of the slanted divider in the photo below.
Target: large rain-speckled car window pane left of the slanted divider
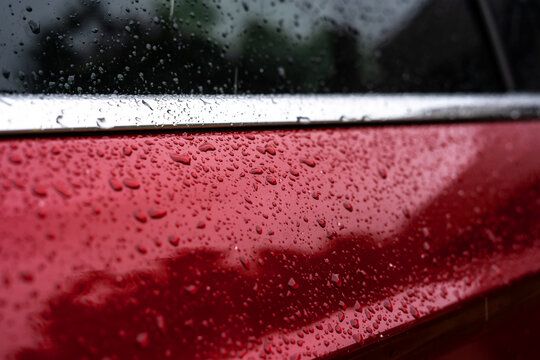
{"x": 242, "y": 46}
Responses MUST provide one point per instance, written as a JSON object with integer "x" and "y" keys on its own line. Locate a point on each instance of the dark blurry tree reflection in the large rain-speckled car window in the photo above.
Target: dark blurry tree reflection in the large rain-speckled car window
{"x": 180, "y": 56}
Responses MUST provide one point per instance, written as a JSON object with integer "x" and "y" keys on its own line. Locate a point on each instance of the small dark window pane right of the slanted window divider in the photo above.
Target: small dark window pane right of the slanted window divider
{"x": 519, "y": 27}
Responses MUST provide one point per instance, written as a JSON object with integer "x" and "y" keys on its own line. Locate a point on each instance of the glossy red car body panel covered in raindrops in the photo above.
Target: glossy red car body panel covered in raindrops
{"x": 273, "y": 244}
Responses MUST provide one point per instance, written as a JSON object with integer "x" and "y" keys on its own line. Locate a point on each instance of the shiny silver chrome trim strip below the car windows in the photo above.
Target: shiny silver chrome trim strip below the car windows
{"x": 67, "y": 113}
